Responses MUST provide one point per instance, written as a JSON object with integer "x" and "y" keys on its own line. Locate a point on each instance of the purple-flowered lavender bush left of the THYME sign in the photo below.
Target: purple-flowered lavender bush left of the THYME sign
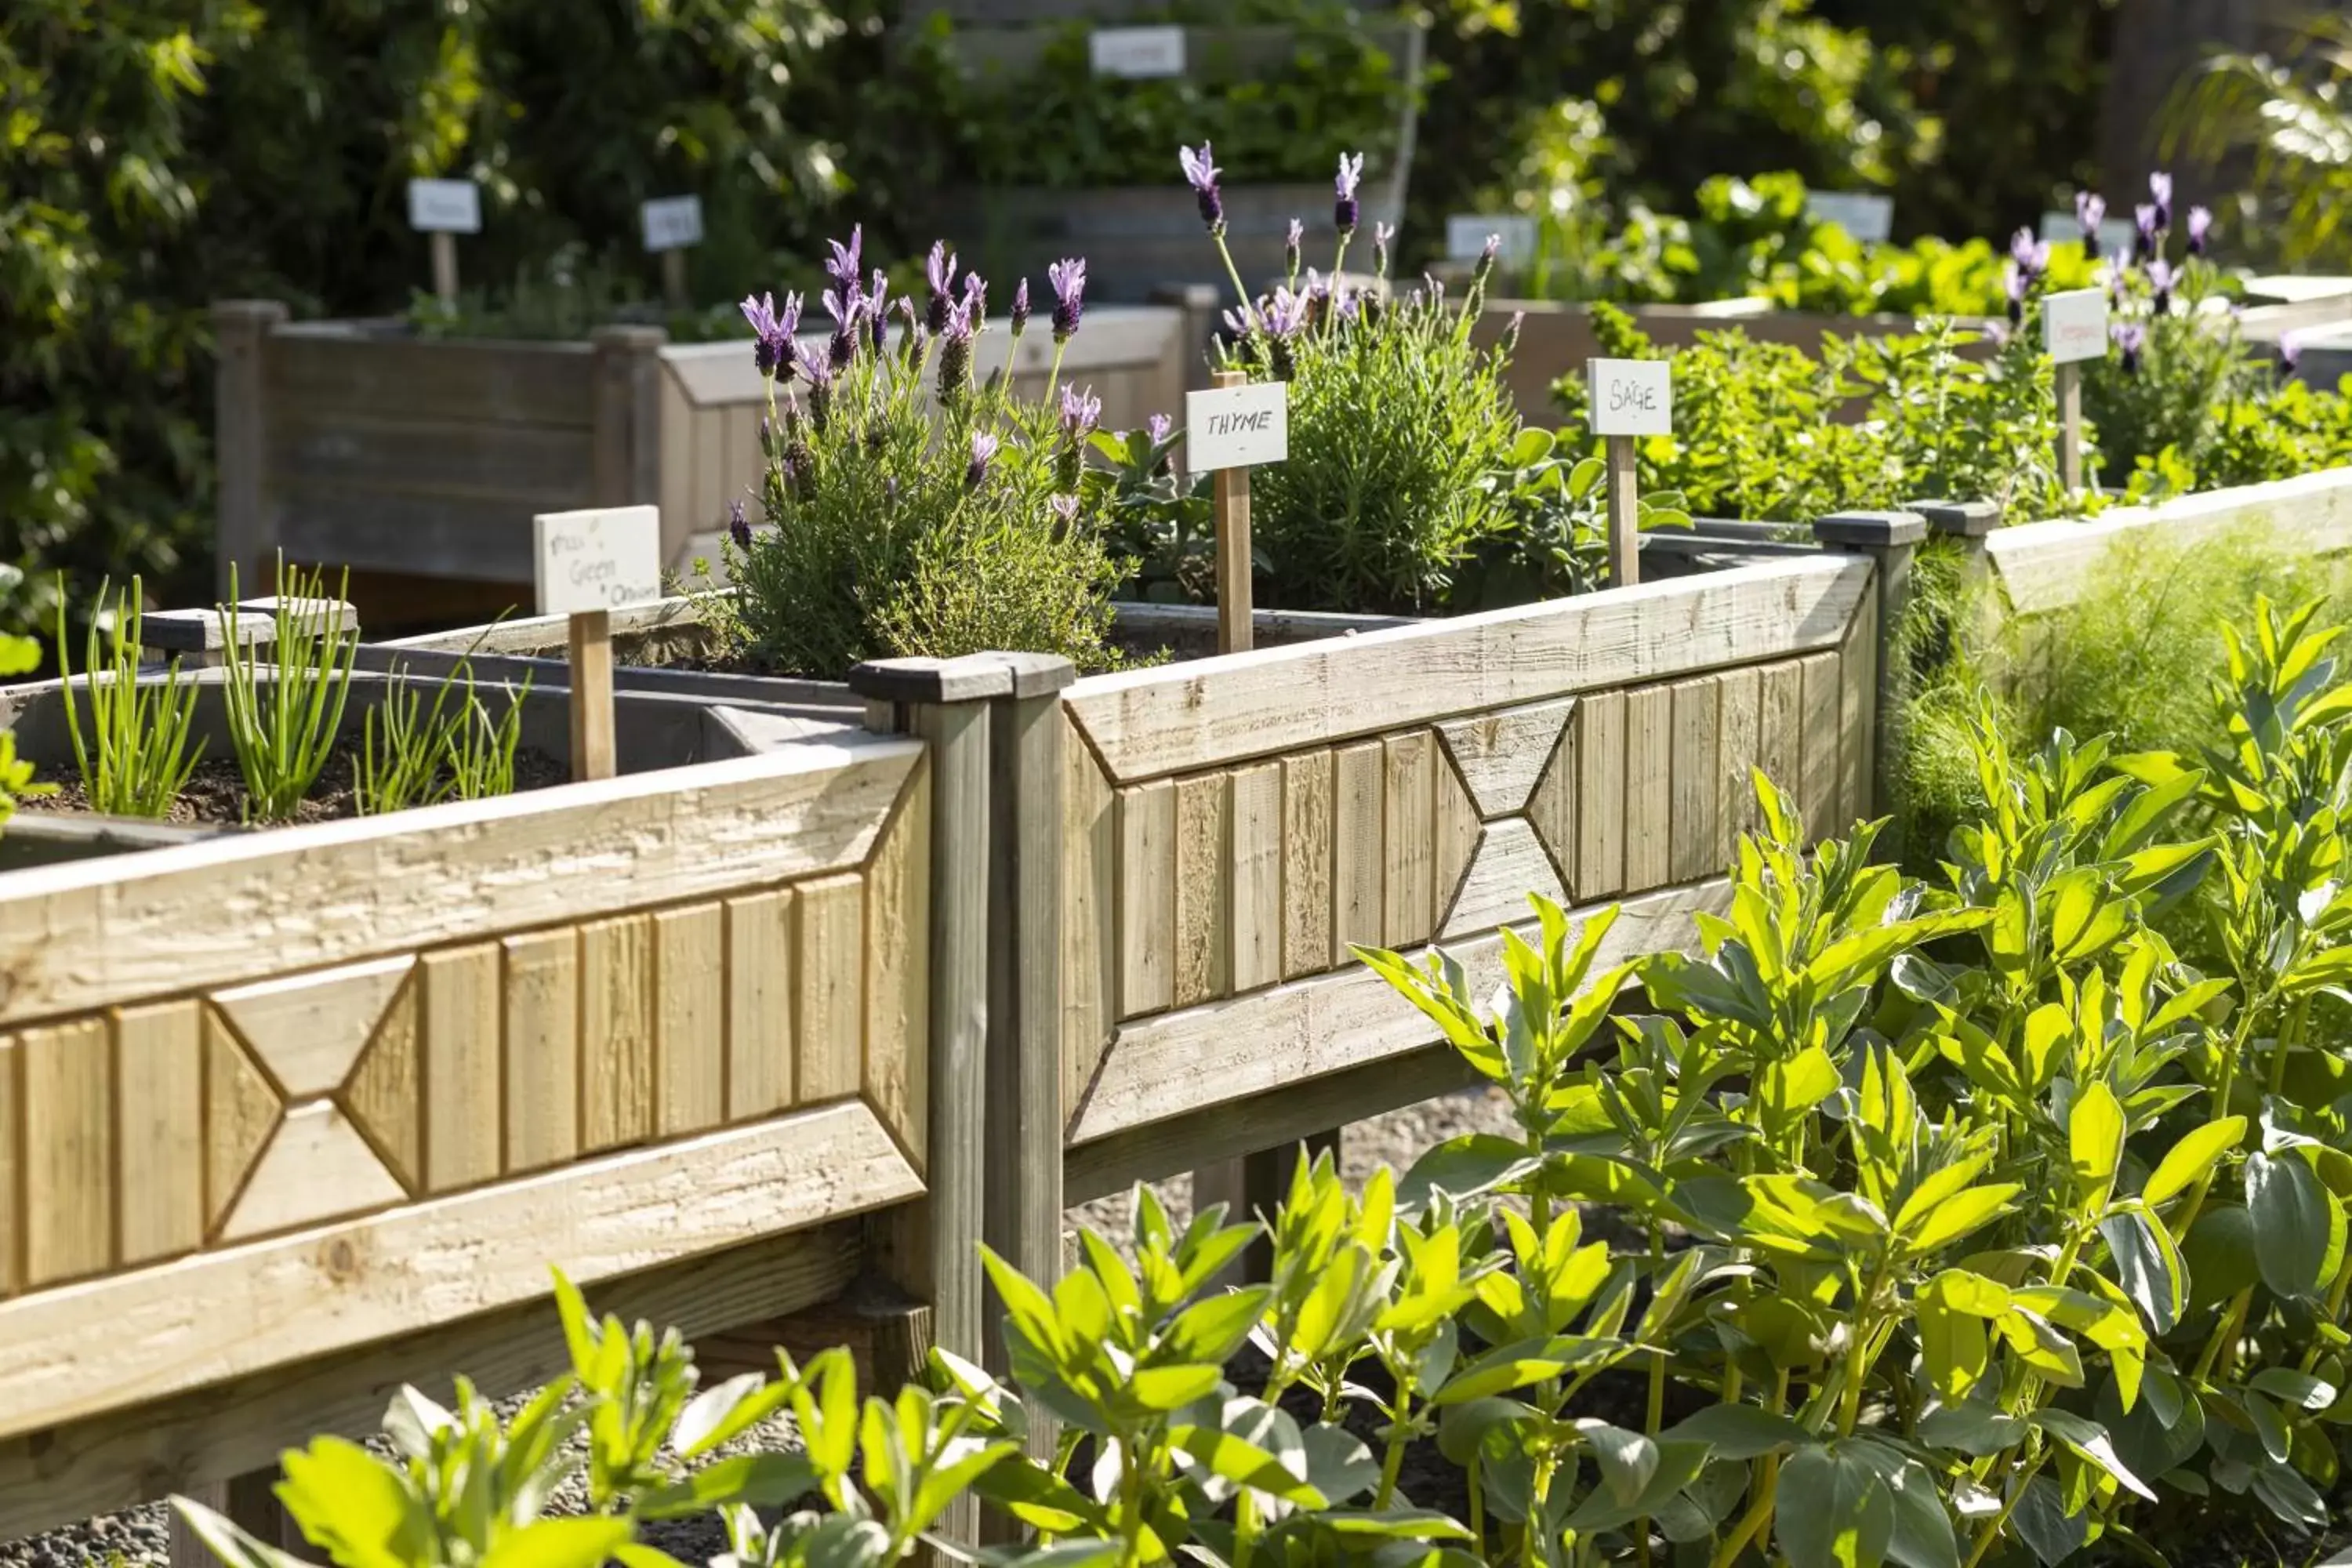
{"x": 909, "y": 507}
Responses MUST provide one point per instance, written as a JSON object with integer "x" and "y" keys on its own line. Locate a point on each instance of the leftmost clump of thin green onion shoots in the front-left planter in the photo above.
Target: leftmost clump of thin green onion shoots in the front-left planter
{"x": 138, "y": 756}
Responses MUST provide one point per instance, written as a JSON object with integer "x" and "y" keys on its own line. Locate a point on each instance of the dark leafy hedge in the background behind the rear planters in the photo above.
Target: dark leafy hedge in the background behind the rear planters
{"x": 163, "y": 154}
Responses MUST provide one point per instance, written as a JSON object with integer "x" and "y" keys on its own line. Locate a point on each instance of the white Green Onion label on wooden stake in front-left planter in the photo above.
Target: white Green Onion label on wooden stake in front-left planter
{"x": 584, "y": 565}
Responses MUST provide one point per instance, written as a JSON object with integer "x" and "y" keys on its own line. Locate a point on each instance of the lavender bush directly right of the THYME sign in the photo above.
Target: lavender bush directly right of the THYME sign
{"x": 1396, "y": 420}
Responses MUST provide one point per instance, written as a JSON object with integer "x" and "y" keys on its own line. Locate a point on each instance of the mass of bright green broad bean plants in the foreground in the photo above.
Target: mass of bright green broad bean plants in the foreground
{"x": 1925, "y": 1224}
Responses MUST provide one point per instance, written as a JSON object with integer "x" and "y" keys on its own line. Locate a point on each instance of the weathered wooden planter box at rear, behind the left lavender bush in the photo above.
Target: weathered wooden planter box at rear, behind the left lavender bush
{"x": 420, "y": 464}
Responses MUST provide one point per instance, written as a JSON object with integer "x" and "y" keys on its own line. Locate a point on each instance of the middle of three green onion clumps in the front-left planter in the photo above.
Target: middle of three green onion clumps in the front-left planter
{"x": 286, "y": 706}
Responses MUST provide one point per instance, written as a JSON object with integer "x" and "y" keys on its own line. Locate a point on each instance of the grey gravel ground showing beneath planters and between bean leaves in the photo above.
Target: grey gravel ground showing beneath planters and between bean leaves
{"x": 142, "y": 1536}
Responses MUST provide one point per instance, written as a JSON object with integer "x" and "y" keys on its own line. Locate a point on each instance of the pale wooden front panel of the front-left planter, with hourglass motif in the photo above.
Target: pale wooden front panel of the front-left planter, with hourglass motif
{"x": 366, "y": 1078}
